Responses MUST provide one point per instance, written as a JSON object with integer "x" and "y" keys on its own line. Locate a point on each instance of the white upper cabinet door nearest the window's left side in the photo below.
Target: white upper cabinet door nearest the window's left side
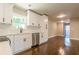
{"x": 8, "y": 9}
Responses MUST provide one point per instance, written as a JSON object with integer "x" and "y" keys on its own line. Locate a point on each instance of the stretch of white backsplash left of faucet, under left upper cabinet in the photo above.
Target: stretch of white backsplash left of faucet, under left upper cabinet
{"x": 5, "y": 30}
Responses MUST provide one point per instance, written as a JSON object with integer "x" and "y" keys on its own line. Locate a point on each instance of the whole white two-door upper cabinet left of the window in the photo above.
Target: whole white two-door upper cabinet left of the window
{"x": 6, "y": 13}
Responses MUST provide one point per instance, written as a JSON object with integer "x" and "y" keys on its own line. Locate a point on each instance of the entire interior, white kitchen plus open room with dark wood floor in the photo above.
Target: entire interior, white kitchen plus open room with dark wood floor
{"x": 39, "y": 29}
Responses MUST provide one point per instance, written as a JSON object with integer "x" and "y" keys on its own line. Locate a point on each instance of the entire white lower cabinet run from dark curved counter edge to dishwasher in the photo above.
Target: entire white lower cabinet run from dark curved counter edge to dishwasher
{"x": 20, "y": 42}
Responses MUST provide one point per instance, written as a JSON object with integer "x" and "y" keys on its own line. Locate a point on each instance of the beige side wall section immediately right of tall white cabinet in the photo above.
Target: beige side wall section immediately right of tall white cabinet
{"x": 52, "y": 28}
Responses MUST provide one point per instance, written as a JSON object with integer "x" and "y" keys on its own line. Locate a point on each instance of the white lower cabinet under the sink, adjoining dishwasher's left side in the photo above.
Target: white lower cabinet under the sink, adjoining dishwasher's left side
{"x": 22, "y": 42}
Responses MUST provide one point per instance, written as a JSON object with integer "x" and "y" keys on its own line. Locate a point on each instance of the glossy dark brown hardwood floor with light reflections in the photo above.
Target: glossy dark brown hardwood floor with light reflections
{"x": 54, "y": 46}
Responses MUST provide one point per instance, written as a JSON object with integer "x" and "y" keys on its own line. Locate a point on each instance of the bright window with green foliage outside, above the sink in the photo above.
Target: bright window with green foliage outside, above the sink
{"x": 19, "y": 21}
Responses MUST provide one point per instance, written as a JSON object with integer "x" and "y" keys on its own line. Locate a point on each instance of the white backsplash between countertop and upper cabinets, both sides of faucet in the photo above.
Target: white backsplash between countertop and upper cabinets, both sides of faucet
{"x": 9, "y": 29}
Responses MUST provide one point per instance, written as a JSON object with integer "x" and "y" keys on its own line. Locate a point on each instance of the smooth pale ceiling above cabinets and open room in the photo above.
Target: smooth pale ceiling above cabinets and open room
{"x": 54, "y": 9}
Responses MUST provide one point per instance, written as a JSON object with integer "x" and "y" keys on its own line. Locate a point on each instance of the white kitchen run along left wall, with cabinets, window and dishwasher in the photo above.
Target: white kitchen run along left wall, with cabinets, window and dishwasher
{"x": 24, "y": 28}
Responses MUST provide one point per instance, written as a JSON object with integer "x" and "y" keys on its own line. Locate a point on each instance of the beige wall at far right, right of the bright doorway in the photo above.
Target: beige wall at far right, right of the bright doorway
{"x": 74, "y": 28}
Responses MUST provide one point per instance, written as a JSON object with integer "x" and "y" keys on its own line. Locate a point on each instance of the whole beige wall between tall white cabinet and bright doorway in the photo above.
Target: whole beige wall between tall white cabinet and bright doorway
{"x": 55, "y": 28}
